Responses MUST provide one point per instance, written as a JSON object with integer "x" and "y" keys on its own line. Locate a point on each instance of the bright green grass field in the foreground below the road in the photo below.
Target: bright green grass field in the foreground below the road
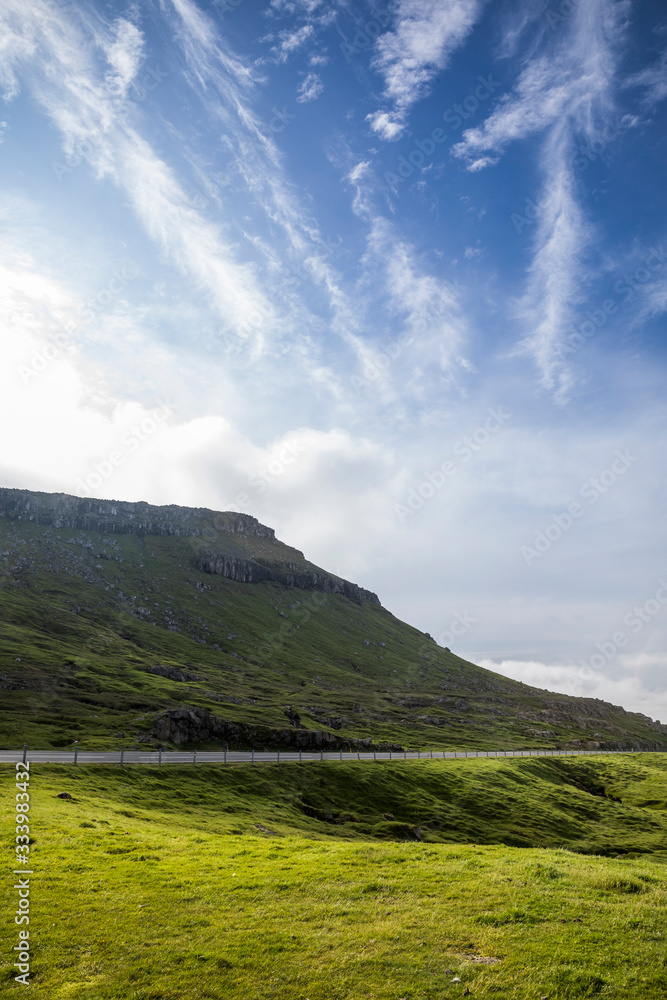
{"x": 310, "y": 883}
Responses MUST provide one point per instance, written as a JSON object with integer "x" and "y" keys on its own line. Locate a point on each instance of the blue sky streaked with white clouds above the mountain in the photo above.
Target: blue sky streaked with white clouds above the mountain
{"x": 390, "y": 277}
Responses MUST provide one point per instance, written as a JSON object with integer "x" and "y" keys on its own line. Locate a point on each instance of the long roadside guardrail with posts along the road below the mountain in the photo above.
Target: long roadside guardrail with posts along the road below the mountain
{"x": 194, "y": 757}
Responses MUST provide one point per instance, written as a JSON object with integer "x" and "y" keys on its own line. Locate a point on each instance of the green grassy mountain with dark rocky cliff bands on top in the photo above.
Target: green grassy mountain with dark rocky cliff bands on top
{"x": 126, "y": 623}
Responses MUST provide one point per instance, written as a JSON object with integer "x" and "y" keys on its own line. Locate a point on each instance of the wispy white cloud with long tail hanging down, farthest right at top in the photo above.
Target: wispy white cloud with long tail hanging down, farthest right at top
{"x": 566, "y": 93}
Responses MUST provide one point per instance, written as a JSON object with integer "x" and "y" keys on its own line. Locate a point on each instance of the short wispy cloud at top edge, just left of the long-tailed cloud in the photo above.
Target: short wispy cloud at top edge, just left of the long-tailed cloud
{"x": 426, "y": 33}
